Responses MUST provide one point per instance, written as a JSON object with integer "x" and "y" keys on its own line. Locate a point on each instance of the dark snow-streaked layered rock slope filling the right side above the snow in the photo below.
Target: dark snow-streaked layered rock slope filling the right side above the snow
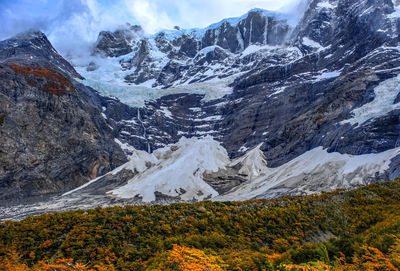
{"x": 292, "y": 104}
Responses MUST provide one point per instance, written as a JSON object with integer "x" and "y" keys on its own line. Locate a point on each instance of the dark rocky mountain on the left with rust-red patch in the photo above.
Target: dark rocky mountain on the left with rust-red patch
{"x": 53, "y": 136}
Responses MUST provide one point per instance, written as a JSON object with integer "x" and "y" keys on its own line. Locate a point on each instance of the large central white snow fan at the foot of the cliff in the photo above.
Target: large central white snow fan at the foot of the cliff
{"x": 178, "y": 171}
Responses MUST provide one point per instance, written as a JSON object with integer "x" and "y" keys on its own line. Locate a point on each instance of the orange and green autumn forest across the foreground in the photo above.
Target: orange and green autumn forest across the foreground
{"x": 343, "y": 230}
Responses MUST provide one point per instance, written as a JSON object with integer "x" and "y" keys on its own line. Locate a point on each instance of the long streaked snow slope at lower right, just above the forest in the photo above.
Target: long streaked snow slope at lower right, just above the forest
{"x": 303, "y": 174}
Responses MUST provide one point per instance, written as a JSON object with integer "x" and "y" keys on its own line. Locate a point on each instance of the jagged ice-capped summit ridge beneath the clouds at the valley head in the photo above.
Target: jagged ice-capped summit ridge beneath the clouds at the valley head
{"x": 180, "y": 57}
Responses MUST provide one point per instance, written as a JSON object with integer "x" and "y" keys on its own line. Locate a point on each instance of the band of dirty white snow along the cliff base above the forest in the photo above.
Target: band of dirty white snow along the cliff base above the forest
{"x": 177, "y": 170}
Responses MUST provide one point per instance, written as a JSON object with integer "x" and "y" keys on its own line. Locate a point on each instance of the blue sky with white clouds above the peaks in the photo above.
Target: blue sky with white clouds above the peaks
{"x": 72, "y": 24}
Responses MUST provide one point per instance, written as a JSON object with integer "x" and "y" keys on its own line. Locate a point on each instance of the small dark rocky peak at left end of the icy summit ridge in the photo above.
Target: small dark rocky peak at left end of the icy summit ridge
{"x": 118, "y": 43}
